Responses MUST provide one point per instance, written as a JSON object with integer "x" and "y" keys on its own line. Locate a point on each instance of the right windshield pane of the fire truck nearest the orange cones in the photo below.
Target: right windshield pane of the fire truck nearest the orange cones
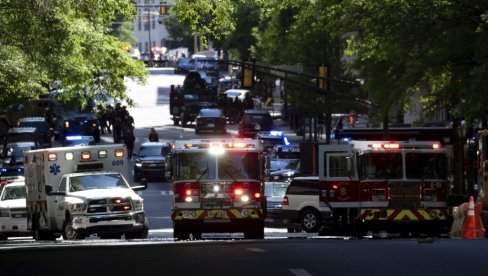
{"x": 426, "y": 165}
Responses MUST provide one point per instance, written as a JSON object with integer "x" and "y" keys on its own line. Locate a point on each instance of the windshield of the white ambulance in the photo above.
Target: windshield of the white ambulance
{"x": 97, "y": 181}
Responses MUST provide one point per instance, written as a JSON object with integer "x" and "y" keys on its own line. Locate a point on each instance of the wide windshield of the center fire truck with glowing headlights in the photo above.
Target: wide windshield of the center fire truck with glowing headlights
{"x": 230, "y": 165}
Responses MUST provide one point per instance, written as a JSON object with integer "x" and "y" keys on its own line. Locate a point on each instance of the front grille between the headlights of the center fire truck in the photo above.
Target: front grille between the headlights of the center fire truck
{"x": 216, "y": 195}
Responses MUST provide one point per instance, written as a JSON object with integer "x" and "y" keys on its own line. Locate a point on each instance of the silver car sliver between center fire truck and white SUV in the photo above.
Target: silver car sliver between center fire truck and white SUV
{"x": 274, "y": 192}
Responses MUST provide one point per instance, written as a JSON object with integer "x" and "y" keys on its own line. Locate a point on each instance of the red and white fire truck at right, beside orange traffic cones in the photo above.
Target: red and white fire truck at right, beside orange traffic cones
{"x": 385, "y": 187}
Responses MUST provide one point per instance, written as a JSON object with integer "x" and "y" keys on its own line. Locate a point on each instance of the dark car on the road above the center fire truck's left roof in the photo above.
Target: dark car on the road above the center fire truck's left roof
{"x": 211, "y": 119}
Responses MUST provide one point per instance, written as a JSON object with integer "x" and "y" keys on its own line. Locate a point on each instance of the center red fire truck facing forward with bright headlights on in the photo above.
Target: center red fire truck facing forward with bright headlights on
{"x": 218, "y": 186}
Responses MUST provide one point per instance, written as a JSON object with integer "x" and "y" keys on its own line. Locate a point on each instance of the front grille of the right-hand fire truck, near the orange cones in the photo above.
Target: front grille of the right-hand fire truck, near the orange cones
{"x": 404, "y": 194}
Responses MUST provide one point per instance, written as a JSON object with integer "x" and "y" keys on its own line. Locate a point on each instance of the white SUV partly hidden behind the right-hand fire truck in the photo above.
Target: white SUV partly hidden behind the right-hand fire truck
{"x": 301, "y": 205}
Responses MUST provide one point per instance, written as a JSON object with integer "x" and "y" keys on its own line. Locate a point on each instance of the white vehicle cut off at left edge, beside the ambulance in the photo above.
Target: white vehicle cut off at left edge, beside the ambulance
{"x": 13, "y": 210}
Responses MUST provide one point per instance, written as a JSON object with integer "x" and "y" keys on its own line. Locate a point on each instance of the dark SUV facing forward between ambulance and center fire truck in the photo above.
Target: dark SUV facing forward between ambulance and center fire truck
{"x": 150, "y": 160}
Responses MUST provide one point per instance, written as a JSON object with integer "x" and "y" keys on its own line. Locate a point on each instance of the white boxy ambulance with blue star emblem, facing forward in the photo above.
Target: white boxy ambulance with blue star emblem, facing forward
{"x": 82, "y": 190}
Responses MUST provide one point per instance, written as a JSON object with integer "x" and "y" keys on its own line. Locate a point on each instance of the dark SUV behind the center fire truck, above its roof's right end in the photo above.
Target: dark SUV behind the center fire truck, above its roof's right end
{"x": 253, "y": 121}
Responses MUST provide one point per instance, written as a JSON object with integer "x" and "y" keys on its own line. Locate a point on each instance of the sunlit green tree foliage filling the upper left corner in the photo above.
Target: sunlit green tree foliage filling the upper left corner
{"x": 68, "y": 41}
